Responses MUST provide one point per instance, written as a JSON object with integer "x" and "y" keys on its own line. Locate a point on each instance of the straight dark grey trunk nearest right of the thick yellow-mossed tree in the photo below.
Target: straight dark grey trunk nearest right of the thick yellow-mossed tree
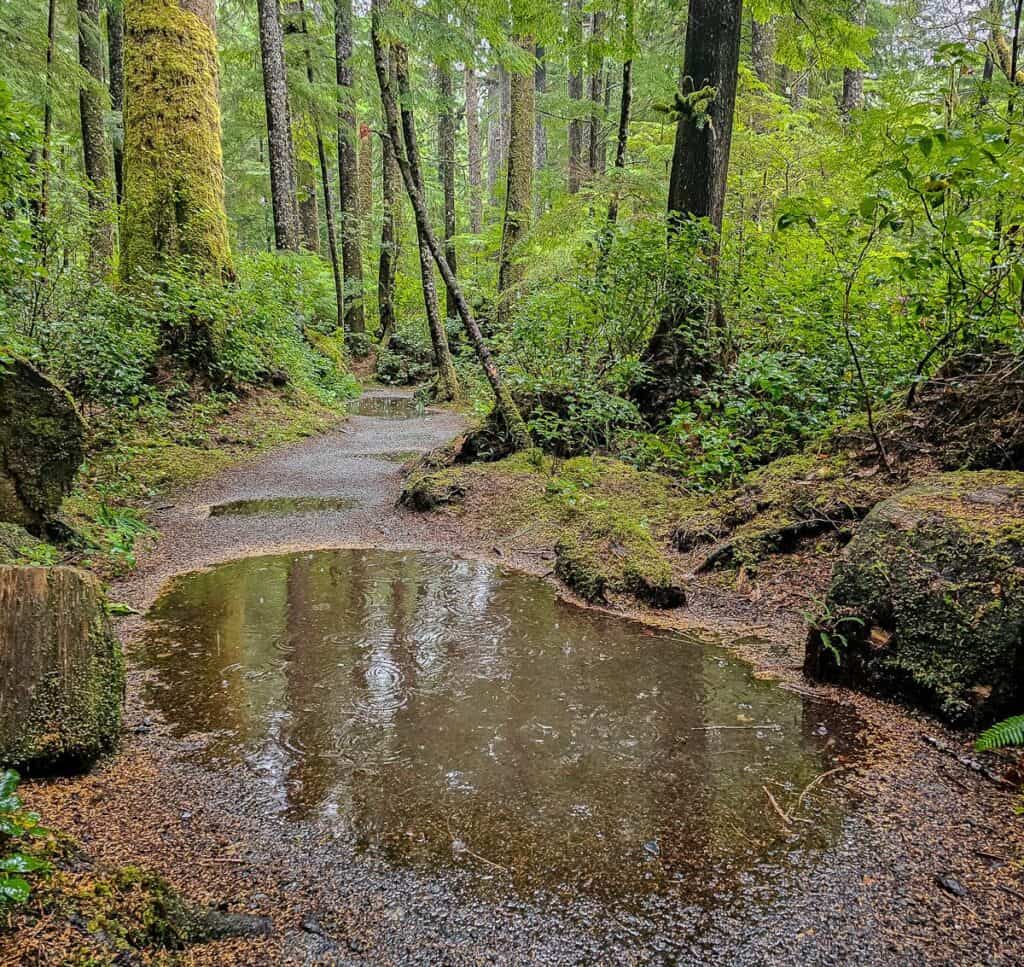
{"x": 281, "y": 152}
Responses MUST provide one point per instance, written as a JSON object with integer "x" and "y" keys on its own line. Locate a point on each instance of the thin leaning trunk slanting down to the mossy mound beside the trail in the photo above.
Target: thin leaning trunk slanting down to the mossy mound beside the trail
{"x": 504, "y": 403}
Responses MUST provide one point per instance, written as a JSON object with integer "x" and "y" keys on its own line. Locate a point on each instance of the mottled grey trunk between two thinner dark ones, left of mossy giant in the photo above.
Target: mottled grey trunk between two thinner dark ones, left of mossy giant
{"x": 97, "y": 151}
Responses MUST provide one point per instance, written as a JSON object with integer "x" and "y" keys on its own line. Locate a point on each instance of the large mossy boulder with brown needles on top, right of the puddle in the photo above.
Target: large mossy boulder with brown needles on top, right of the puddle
{"x": 928, "y": 601}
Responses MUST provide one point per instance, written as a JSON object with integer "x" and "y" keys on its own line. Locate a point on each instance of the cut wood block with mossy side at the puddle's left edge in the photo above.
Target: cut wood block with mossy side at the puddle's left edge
{"x": 62, "y": 672}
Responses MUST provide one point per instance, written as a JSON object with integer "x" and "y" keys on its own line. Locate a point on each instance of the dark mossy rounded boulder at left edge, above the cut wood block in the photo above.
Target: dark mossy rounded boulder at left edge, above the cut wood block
{"x": 41, "y": 445}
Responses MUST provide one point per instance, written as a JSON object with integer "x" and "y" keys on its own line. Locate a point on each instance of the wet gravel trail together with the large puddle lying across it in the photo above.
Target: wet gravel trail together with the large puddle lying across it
{"x": 381, "y": 795}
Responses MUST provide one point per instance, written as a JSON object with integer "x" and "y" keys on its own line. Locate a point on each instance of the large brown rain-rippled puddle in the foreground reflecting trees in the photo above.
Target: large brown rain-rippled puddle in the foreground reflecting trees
{"x": 446, "y": 711}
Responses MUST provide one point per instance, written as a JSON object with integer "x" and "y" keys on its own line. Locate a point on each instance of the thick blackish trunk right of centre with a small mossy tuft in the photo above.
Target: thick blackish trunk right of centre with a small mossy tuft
{"x": 697, "y": 189}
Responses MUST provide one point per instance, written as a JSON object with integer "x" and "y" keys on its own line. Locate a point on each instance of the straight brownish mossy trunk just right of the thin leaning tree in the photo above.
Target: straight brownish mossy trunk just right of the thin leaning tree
{"x": 520, "y": 190}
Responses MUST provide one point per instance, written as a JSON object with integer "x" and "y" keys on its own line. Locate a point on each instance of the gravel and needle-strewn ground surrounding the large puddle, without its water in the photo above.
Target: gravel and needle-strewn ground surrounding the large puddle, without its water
{"x": 927, "y": 868}
